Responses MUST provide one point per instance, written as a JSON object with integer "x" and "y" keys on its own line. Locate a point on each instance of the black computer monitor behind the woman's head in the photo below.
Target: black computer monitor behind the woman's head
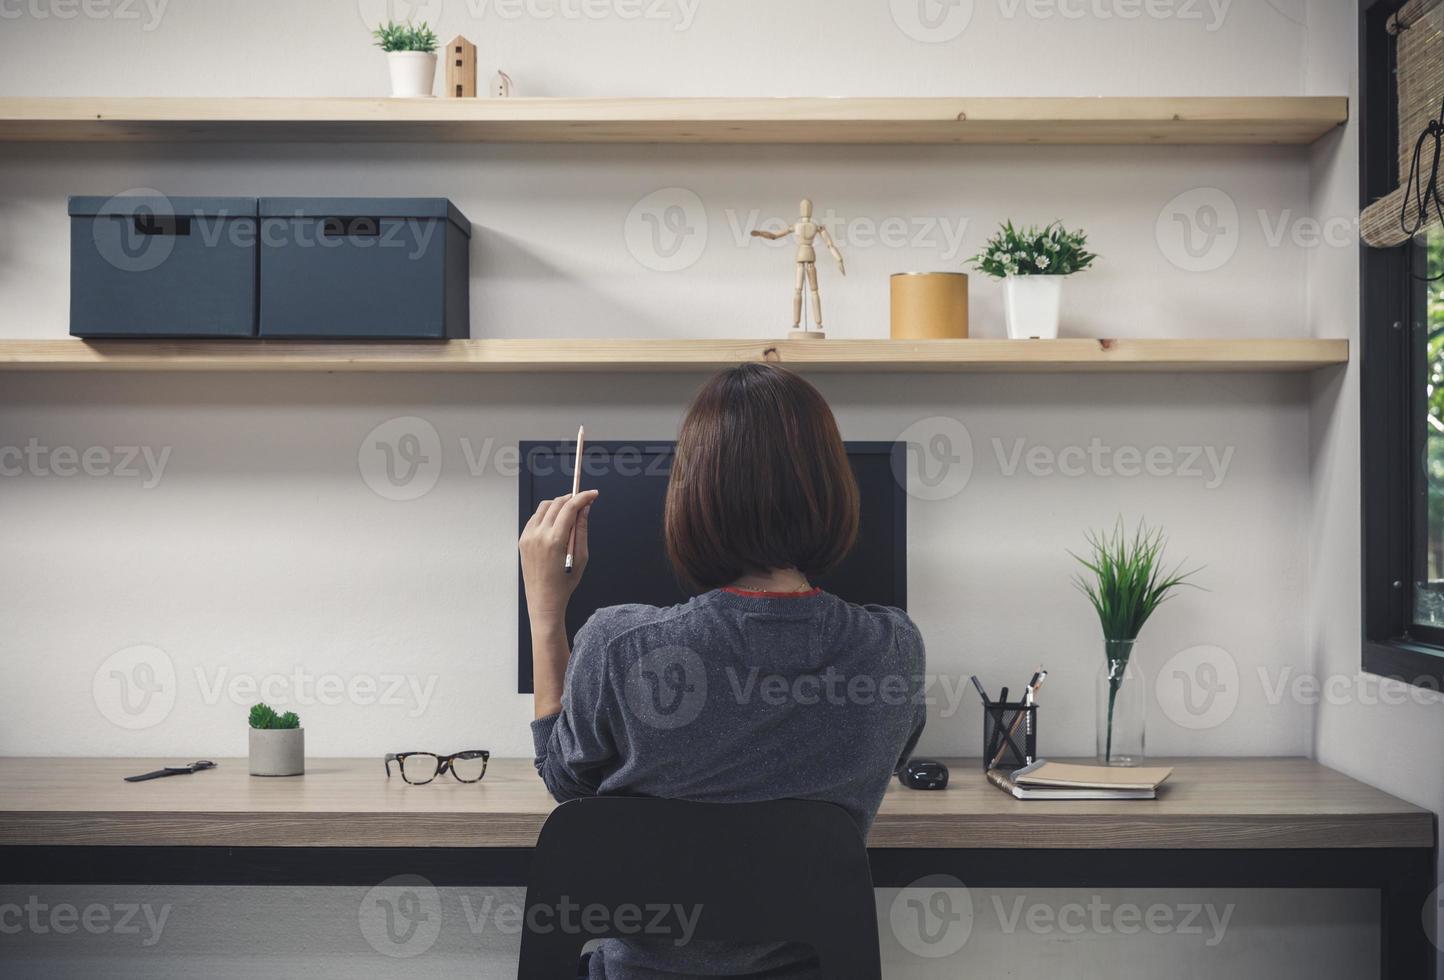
{"x": 629, "y": 561}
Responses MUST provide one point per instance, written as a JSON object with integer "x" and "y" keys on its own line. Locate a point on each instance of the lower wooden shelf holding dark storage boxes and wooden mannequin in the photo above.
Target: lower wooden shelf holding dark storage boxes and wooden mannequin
{"x": 646, "y": 356}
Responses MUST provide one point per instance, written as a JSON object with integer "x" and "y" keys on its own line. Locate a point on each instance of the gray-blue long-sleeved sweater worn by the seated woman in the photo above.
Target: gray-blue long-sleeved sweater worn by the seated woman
{"x": 734, "y": 698}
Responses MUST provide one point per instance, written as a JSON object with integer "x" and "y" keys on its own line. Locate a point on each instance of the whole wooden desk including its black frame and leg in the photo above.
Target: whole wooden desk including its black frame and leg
{"x": 1243, "y": 823}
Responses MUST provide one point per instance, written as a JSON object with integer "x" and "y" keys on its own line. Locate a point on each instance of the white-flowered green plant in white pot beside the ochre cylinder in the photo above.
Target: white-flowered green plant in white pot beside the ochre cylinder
{"x": 1033, "y": 265}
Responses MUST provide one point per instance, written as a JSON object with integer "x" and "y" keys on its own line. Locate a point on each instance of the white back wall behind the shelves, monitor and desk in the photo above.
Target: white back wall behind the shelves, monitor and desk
{"x": 264, "y": 552}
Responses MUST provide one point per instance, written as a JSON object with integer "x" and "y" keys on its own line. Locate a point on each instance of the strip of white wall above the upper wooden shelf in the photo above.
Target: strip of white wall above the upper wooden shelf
{"x": 669, "y": 47}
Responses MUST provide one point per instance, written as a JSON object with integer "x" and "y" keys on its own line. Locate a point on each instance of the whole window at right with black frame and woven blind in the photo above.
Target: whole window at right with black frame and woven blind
{"x": 1401, "y": 338}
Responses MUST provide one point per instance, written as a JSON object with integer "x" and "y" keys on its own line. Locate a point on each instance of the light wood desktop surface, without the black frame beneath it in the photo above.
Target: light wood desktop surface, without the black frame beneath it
{"x": 350, "y": 803}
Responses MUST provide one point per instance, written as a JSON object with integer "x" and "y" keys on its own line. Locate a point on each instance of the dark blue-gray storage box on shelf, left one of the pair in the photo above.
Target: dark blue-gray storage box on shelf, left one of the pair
{"x": 155, "y": 266}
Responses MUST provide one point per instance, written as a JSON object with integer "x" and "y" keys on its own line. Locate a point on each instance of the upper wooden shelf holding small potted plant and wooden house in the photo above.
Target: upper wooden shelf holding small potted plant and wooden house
{"x": 1292, "y": 121}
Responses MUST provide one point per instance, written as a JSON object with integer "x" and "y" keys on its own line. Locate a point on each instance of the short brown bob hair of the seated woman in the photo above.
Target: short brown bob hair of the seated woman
{"x": 760, "y": 481}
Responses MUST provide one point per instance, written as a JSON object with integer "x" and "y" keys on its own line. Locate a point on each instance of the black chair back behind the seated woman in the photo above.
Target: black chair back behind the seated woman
{"x": 756, "y": 872}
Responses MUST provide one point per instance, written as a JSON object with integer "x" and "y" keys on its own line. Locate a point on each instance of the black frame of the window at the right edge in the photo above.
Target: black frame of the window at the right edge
{"x": 1390, "y": 344}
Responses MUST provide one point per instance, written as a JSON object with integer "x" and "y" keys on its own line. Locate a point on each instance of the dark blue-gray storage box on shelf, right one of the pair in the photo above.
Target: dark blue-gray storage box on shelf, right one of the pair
{"x": 365, "y": 269}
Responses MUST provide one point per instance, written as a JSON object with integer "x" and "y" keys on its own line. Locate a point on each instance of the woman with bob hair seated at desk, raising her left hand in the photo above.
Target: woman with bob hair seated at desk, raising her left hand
{"x": 760, "y": 500}
